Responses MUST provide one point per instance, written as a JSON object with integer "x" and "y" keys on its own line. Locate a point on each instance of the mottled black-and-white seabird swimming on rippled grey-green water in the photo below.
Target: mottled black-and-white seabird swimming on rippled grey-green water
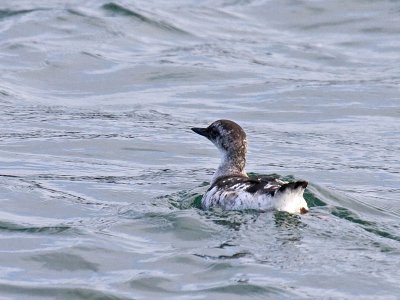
{"x": 232, "y": 189}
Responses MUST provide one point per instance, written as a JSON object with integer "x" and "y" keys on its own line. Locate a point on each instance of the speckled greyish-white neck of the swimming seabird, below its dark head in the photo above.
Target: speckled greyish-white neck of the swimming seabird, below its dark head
{"x": 232, "y": 164}
